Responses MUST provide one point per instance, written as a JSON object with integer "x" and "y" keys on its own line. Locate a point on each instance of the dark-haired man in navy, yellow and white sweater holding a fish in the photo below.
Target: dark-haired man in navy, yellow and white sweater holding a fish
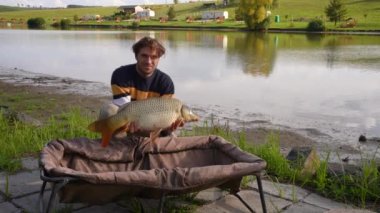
{"x": 141, "y": 80}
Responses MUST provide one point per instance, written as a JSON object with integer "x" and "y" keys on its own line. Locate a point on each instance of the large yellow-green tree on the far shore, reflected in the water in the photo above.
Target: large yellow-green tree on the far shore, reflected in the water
{"x": 254, "y": 13}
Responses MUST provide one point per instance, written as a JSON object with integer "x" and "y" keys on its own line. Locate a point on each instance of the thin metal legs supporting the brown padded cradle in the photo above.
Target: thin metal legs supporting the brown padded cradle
{"x": 59, "y": 182}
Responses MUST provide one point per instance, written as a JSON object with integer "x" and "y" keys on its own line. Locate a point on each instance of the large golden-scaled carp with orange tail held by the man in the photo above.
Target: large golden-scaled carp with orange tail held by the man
{"x": 153, "y": 115}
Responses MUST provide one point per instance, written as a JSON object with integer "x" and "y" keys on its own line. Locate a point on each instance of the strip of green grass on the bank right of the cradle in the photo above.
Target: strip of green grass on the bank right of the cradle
{"x": 361, "y": 189}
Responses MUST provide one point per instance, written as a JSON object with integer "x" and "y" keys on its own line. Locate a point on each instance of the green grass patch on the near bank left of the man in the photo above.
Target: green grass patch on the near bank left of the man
{"x": 20, "y": 139}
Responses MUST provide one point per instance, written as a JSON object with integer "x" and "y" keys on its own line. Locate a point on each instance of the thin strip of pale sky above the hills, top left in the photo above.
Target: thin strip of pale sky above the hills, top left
{"x": 64, "y": 3}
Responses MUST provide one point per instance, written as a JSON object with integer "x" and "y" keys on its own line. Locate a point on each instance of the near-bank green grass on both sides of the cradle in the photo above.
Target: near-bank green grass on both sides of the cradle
{"x": 362, "y": 189}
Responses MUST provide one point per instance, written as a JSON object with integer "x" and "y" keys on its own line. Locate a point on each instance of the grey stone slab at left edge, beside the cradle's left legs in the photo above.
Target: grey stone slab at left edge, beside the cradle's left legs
{"x": 21, "y": 183}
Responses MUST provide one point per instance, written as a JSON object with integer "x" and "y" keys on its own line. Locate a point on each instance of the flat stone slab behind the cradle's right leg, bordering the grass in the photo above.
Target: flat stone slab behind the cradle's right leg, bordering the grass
{"x": 289, "y": 192}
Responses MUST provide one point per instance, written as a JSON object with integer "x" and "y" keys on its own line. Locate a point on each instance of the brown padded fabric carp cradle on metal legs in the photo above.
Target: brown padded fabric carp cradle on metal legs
{"x": 81, "y": 171}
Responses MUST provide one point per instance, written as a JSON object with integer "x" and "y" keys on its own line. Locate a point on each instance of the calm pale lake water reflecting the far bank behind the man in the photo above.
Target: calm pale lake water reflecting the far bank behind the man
{"x": 329, "y": 83}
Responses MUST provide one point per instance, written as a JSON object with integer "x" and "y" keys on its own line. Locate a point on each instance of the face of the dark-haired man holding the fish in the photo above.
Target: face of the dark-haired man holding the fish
{"x": 147, "y": 61}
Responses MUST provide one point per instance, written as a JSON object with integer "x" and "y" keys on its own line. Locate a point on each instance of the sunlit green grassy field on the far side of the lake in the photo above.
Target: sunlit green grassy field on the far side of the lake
{"x": 294, "y": 14}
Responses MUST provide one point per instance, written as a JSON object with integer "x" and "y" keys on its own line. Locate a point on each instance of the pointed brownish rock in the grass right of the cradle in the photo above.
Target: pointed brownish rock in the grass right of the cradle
{"x": 305, "y": 158}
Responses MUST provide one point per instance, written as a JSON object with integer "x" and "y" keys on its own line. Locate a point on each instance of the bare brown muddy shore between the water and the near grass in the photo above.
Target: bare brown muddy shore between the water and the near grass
{"x": 41, "y": 96}
